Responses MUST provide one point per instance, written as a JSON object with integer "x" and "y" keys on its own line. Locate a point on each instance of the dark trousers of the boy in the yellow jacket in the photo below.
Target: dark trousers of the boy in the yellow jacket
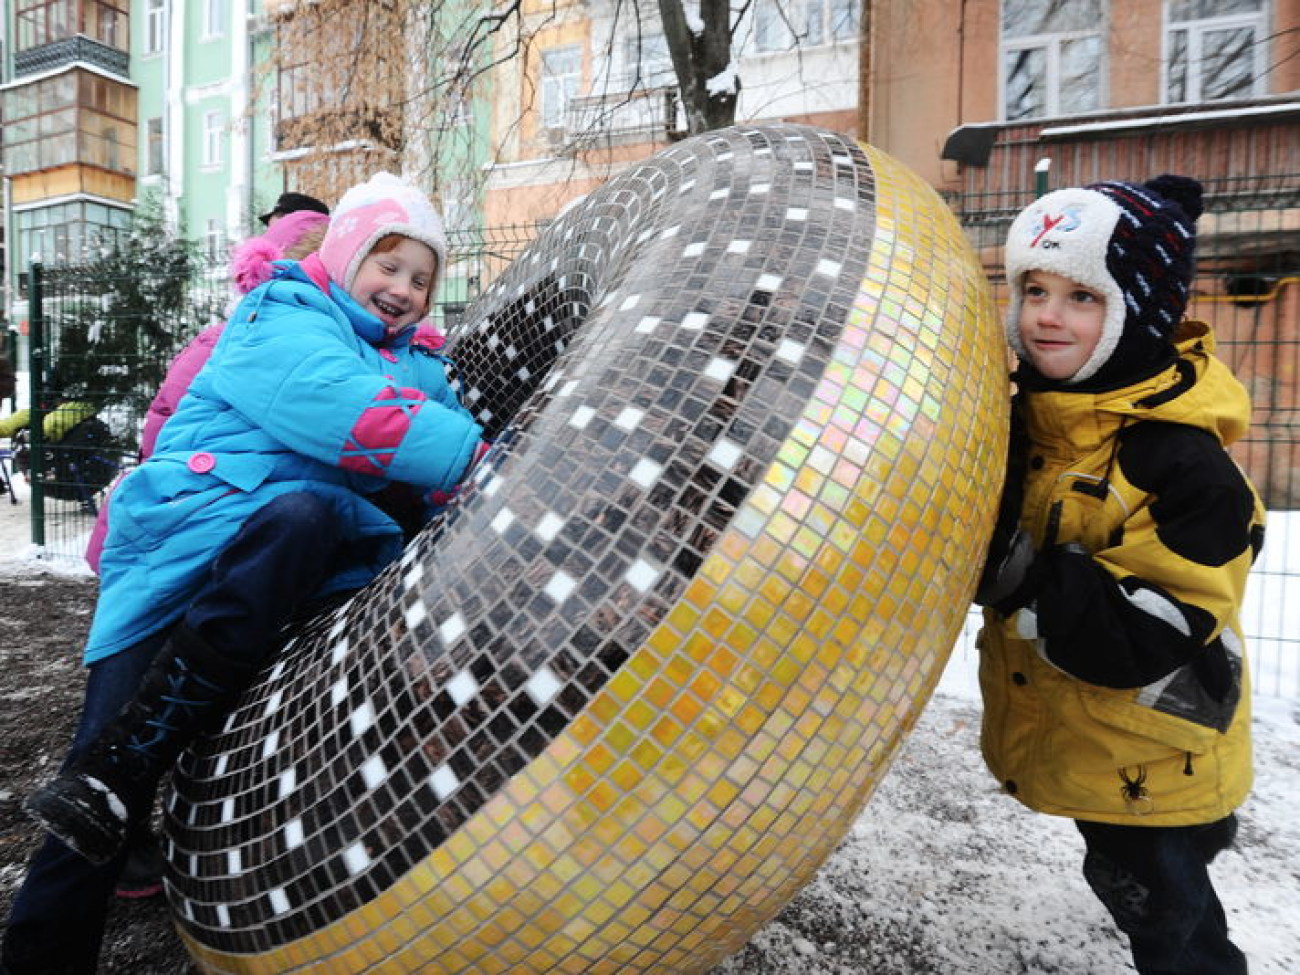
{"x": 1156, "y": 885}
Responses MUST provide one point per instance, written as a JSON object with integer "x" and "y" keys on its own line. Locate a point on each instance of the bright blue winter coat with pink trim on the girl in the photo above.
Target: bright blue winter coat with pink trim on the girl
{"x": 304, "y": 392}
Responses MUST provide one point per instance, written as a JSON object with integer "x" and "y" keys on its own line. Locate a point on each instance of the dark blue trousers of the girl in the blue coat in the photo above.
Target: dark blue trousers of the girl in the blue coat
{"x": 265, "y": 575}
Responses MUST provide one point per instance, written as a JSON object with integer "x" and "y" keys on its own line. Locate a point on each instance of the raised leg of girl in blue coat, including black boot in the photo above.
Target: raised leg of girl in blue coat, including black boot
{"x": 233, "y": 626}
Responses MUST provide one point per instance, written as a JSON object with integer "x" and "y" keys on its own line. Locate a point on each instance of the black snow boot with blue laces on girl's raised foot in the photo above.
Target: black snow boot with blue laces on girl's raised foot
{"x": 110, "y": 791}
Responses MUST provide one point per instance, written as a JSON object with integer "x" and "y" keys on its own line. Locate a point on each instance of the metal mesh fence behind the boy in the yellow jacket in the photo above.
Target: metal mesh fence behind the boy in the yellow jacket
{"x": 1249, "y": 289}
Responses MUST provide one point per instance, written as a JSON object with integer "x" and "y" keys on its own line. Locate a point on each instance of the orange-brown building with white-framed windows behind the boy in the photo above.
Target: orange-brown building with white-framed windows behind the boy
{"x": 996, "y": 101}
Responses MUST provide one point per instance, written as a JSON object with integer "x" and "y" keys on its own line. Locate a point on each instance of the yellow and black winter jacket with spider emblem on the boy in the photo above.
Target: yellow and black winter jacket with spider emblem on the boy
{"x": 1121, "y": 695}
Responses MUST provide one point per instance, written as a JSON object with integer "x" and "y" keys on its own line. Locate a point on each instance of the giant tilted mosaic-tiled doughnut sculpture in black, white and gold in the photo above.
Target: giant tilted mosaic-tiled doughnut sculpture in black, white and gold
{"x": 617, "y": 707}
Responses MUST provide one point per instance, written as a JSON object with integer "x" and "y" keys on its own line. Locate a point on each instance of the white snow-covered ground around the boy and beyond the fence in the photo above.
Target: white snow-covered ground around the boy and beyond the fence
{"x": 942, "y": 874}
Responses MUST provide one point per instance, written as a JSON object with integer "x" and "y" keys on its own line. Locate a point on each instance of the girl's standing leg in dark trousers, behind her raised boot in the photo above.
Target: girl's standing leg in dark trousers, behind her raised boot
{"x": 58, "y": 917}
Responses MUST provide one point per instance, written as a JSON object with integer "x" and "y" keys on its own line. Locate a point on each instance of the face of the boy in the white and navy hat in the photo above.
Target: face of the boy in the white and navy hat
{"x": 1061, "y": 323}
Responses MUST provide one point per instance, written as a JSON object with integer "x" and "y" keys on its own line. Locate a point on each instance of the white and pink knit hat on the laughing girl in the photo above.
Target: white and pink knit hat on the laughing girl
{"x": 374, "y": 210}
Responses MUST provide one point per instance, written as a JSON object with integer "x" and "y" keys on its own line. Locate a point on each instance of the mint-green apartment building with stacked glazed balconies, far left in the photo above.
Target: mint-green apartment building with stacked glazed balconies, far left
{"x": 111, "y": 103}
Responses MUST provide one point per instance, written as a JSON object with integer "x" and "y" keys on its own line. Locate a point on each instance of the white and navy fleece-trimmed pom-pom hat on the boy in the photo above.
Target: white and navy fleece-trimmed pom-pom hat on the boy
{"x": 1133, "y": 245}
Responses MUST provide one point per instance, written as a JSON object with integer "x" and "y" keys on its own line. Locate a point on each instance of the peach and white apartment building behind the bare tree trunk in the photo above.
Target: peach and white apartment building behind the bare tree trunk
{"x": 593, "y": 89}
